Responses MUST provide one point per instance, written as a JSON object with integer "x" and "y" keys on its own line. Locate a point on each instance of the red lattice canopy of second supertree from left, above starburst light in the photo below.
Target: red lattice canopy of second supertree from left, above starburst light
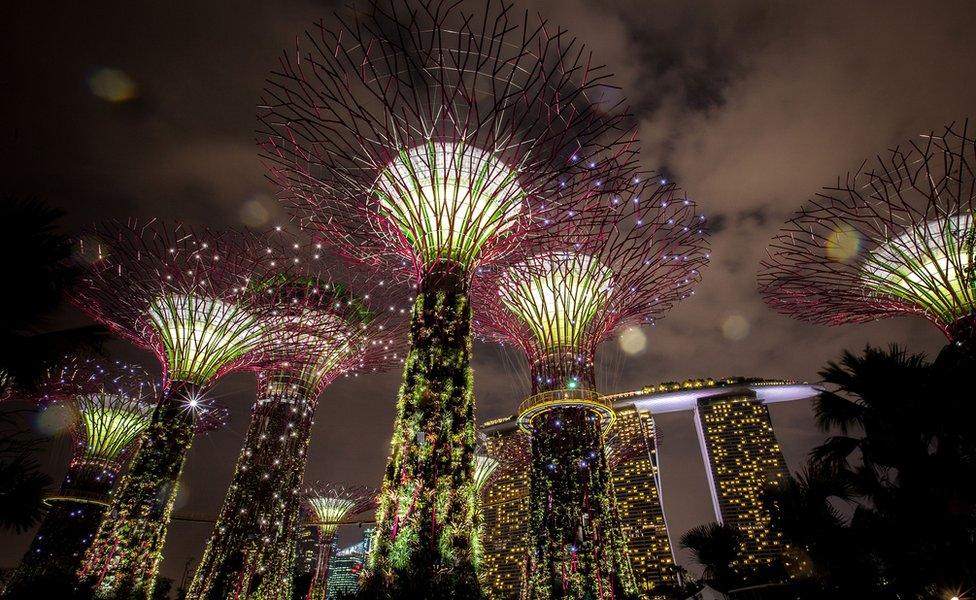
{"x": 132, "y": 264}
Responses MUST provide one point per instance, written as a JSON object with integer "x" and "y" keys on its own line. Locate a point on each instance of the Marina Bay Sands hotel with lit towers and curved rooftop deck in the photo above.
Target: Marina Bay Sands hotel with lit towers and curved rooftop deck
{"x": 741, "y": 455}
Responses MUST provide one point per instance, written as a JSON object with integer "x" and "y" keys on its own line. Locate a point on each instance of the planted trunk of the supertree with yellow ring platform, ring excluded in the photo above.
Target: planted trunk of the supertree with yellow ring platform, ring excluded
{"x": 577, "y": 548}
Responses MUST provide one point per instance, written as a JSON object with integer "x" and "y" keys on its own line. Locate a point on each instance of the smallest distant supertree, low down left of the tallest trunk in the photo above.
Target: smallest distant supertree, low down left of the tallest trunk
{"x": 328, "y": 505}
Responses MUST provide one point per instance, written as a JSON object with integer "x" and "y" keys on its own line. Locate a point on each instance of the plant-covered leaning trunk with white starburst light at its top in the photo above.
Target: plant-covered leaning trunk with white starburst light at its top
{"x": 124, "y": 559}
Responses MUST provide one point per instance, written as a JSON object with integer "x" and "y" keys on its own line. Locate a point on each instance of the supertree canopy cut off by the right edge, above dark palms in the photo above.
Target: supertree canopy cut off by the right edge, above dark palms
{"x": 894, "y": 239}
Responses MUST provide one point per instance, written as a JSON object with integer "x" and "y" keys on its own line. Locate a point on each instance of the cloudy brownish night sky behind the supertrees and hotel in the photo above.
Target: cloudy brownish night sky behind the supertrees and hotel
{"x": 147, "y": 110}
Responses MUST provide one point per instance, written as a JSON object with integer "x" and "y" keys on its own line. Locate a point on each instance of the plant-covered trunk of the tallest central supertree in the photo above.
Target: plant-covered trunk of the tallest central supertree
{"x": 426, "y": 541}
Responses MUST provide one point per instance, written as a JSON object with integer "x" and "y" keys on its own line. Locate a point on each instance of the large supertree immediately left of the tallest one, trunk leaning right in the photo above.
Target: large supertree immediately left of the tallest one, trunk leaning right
{"x": 325, "y": 327}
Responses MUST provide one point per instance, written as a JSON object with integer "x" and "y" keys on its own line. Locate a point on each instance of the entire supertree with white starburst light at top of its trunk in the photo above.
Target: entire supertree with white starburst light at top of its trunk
{"x": 186, "y": 296}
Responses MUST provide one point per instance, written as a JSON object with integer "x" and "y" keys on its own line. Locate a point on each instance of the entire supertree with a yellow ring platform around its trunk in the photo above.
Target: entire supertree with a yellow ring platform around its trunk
{"x": 625, "y": 269}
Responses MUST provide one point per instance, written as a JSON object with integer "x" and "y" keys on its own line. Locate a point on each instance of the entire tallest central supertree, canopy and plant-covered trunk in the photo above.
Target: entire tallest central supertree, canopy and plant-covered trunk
{"x": 426, "y": 143}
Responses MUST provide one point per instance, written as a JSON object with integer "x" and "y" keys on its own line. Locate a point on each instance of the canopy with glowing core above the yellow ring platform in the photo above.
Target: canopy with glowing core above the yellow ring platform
{"x": 626, "y": 268}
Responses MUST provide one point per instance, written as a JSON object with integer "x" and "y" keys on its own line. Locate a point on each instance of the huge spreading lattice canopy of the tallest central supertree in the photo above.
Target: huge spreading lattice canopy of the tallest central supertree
{"x": 424, "y": 137}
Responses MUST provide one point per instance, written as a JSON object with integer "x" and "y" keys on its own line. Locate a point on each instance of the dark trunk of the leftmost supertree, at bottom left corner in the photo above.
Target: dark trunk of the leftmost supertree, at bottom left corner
{"x": 56, "y": 553}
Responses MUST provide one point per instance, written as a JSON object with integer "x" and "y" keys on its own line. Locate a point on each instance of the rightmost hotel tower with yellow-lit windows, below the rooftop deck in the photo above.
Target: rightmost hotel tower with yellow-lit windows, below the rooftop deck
{"x": 742, "y": 460}
